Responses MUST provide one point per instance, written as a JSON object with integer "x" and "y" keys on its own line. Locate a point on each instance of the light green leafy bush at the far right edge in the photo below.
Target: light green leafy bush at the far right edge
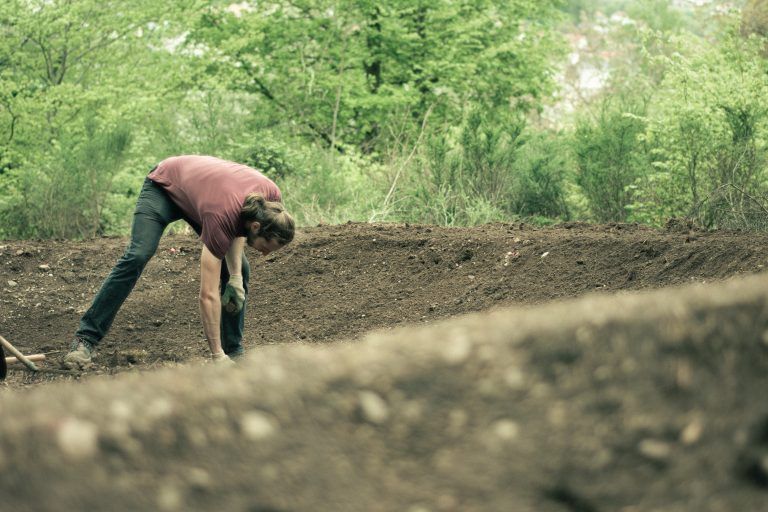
{"x": 708, "y": 134}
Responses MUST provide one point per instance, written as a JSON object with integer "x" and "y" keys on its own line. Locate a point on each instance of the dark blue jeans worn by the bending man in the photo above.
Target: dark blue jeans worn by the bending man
{"x": 154, "y": 211}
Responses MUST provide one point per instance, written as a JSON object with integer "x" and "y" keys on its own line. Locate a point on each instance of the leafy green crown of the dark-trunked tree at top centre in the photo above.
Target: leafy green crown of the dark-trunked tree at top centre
{"x": 343, "y": 72}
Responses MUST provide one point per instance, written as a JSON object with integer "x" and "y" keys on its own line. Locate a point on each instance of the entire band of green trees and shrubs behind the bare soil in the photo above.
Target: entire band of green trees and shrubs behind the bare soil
{"x": 439, "y": 111}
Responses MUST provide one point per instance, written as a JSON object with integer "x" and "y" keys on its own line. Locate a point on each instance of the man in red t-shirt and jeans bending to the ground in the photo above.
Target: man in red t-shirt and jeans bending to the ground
{"x": 229, "y": 205}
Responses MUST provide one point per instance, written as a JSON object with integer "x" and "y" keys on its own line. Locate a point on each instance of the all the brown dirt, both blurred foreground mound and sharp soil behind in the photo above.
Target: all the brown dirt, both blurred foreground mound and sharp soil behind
{"x": 630, "y": 402}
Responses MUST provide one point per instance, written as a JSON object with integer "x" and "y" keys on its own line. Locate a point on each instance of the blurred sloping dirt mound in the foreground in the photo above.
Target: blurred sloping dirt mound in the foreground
{"x": 632, "y": 402}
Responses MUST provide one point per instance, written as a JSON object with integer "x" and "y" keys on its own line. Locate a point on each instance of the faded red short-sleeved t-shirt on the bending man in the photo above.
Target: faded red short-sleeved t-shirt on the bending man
{"x": 211, "y": 192}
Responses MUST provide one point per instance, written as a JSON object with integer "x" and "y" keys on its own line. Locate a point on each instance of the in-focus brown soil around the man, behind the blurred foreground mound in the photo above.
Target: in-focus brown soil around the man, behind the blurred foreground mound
{"x": 336, "y": 282}
